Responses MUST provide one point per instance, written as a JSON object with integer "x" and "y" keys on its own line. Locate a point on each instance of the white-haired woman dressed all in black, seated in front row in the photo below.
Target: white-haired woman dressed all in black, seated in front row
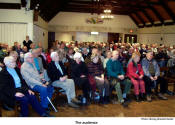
{"x": 79, "y": 73}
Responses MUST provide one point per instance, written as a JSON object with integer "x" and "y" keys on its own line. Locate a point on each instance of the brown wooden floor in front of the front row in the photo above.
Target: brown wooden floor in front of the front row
{"x": 156, "y": 108}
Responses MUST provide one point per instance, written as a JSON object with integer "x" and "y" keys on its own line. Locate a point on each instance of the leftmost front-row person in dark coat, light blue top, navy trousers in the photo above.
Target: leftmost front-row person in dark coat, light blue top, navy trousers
{"x": 14, "y": 87}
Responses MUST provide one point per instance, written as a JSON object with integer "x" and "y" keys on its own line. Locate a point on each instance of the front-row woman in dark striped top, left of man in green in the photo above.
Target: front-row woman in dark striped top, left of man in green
{"x": 96, "y": 71}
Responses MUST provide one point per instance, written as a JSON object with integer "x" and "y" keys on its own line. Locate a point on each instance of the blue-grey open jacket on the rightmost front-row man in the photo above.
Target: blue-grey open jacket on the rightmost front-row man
{"x": 145, "y": 66}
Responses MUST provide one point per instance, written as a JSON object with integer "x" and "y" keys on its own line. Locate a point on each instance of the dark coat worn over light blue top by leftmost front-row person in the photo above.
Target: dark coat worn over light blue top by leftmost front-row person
{"x": 8, "y": 89}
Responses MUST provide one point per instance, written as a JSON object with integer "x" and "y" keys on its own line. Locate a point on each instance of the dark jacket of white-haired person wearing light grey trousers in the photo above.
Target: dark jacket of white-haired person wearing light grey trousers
{"x": 54, "y": 73}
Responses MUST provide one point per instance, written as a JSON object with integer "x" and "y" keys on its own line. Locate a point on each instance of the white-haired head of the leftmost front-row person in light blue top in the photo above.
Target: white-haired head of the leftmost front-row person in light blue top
{"x": 9, "y": 61}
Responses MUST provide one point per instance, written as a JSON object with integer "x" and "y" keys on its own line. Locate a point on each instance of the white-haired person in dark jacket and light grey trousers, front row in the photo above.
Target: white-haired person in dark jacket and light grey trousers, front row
{"x": 59, "y": 78}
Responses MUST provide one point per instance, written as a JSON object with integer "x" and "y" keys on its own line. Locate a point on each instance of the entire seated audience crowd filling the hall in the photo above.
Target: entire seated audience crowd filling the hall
{"x": 96, "y": 68}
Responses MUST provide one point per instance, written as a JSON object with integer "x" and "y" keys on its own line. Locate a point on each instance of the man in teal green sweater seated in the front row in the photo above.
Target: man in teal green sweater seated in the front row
{"x": 116, "y": 74}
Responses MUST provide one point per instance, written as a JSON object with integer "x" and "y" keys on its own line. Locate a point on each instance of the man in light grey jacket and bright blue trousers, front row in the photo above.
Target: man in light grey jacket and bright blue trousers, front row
{"x": 35, "y": 80}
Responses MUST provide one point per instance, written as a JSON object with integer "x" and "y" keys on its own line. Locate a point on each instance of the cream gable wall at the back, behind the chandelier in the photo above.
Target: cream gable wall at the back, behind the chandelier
{"x": 71, "y": 21}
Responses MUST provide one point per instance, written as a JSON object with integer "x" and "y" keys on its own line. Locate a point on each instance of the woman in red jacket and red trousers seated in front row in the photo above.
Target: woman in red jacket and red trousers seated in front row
{"x": 135, "y": 73}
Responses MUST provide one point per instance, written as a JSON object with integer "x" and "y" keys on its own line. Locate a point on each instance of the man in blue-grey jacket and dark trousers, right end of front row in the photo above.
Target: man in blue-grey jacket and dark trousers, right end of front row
{"x": 152, "y": 77}
